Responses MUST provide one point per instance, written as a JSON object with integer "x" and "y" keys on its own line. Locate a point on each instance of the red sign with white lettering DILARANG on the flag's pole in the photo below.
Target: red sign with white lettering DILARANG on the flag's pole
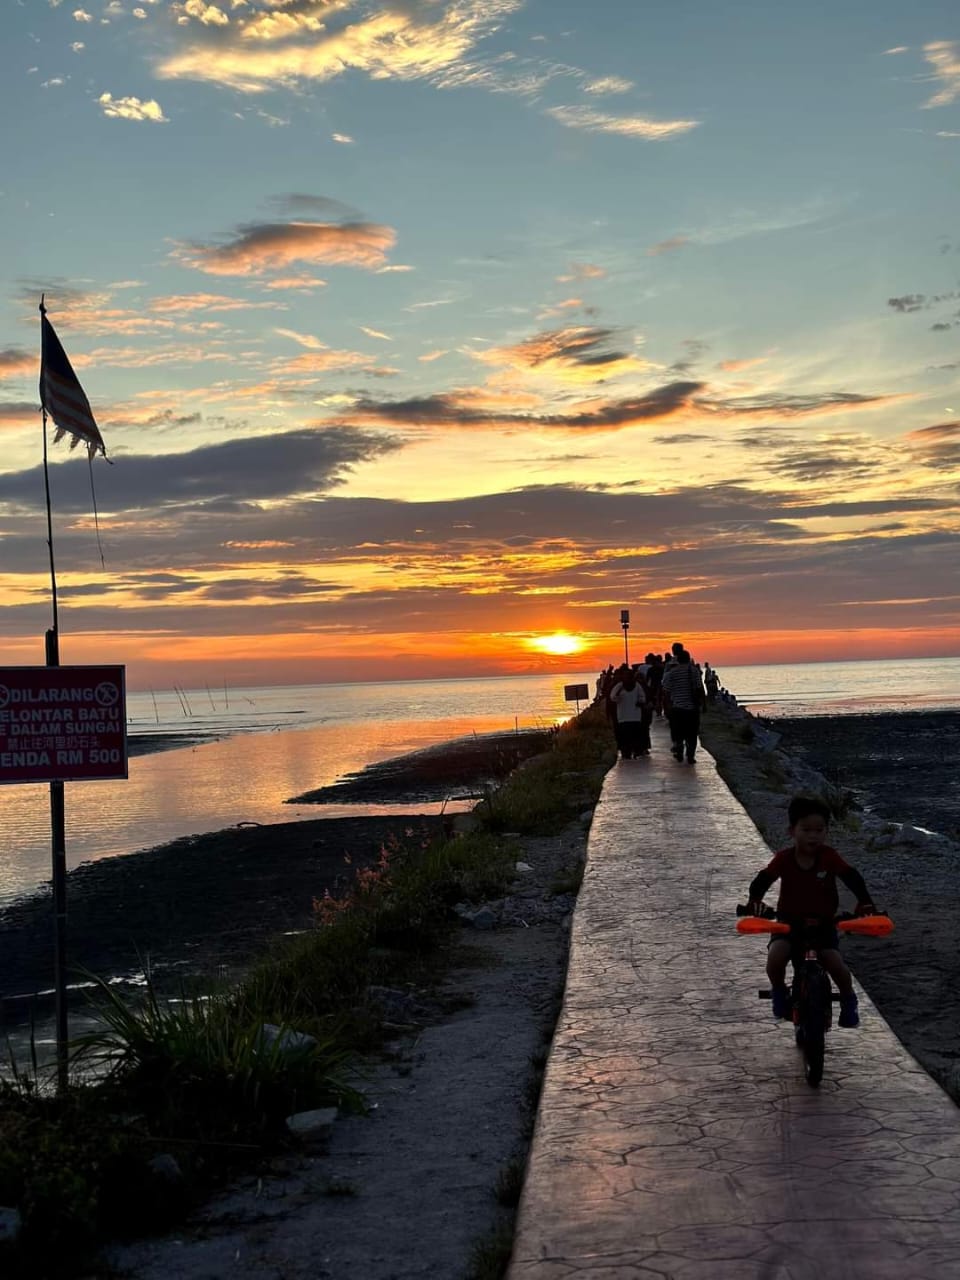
{"x": 62, "y": 724}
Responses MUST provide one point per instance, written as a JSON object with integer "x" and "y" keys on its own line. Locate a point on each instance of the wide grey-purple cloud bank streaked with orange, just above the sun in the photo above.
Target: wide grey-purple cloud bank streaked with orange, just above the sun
{"x": 711, "y": 557}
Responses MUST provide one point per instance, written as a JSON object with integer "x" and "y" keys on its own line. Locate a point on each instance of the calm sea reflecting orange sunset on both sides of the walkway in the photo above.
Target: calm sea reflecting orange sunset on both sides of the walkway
{"x": 269, "y": 744}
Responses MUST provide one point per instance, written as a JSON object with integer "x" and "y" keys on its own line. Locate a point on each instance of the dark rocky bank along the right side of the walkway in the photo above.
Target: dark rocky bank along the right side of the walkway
{"x": 915, "y": 976}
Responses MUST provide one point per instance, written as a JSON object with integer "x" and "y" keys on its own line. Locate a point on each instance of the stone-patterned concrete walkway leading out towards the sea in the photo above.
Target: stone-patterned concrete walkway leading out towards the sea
{"x": 676, "y": 1136}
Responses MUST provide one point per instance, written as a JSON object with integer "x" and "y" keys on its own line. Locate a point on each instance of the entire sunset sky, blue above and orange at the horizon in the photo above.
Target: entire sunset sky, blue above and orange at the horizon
{"x": 422, "y": 333}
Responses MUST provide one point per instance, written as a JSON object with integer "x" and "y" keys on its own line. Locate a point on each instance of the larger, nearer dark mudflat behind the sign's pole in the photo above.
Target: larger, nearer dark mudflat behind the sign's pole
{"x": 204, "y": 906}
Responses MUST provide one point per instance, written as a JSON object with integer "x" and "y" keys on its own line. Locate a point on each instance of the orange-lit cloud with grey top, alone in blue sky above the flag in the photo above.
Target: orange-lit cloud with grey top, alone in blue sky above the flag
{"x": 272, "y": 246}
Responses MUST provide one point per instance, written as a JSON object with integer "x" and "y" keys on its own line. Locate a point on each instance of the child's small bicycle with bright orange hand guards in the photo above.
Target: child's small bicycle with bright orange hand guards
{"x": 811, "y": 1000}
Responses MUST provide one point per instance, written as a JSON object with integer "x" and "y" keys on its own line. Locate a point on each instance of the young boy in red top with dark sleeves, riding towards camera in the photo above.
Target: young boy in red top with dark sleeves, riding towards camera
{"x": 808, "y": 872}
